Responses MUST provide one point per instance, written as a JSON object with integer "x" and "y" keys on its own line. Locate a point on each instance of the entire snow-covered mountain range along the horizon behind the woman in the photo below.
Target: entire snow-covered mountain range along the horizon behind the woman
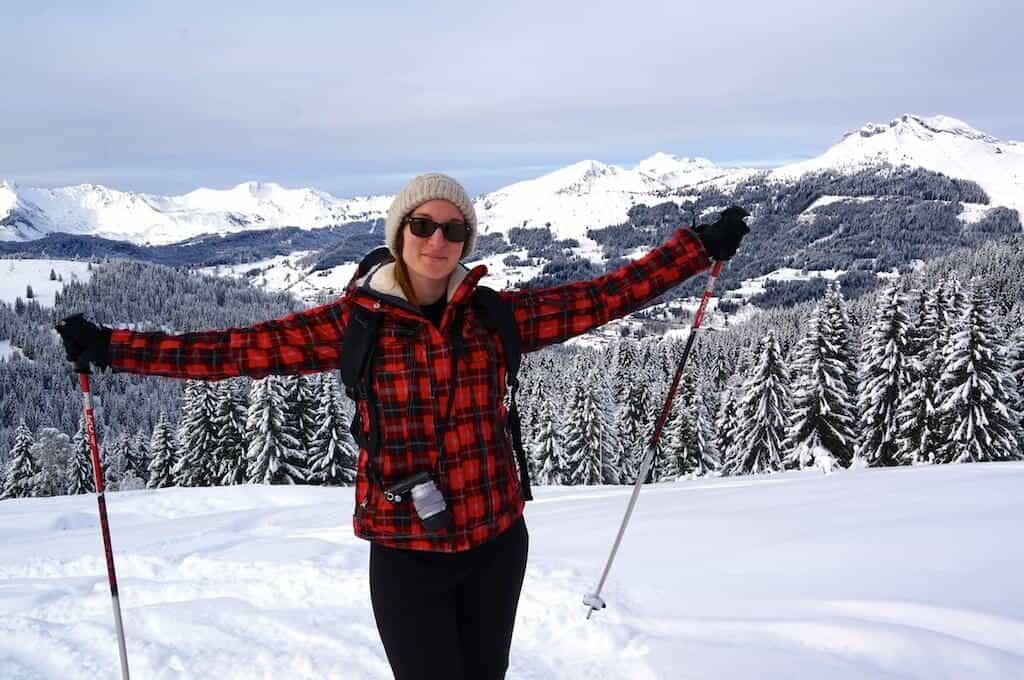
{"x": 585, "y": 195}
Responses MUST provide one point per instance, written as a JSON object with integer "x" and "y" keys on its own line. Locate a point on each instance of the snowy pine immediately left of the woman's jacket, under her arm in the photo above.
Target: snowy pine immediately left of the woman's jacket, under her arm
{"x": 332, "y": 449}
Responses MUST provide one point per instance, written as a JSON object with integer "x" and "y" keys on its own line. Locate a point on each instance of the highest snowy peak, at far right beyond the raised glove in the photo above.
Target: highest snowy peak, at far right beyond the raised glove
{"x": 940, "y": 144}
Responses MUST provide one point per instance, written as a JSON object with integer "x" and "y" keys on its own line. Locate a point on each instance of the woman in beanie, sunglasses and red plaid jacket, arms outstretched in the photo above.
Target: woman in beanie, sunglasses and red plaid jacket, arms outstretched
{"x": 445, "y": 597}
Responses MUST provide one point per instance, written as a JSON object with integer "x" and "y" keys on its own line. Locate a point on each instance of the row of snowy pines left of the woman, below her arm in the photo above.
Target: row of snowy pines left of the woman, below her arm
{"x": 281, "y": 430}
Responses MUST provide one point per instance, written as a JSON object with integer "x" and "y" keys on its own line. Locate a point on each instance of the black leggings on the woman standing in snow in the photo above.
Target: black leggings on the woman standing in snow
{"x": 449, "y": 616}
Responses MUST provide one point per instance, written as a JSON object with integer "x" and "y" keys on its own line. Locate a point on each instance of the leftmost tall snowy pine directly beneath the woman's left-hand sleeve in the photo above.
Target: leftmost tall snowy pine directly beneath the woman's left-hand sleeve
{"x": 197, "y": 464}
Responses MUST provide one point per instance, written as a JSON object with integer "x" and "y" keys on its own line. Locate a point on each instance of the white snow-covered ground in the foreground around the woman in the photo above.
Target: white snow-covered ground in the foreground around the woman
{"x": 912, "y": 573}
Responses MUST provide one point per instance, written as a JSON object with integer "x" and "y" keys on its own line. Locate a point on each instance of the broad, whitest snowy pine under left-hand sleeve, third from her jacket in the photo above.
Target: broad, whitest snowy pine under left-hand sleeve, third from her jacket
{"x": 273, "y": 449}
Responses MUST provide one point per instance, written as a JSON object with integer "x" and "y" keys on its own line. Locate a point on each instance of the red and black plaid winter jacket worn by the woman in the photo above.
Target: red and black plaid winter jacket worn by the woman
{"x": 412, "y": 380}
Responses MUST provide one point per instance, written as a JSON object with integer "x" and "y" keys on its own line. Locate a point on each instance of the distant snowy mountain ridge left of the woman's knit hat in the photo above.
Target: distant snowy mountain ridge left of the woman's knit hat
{"x": 89, "y": 209}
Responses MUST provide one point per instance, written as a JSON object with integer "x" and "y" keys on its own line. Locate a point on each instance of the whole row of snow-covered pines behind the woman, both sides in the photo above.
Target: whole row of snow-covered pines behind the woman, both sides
{"x": 935, "y": 377}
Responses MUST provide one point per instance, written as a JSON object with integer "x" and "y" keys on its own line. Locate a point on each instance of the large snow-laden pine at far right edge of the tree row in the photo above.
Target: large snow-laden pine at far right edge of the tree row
{"x": 978, "y": 389}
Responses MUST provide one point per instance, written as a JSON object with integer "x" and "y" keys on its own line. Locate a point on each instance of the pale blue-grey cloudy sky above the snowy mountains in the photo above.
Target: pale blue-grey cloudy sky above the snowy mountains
{"x": 357, "y": 98}
